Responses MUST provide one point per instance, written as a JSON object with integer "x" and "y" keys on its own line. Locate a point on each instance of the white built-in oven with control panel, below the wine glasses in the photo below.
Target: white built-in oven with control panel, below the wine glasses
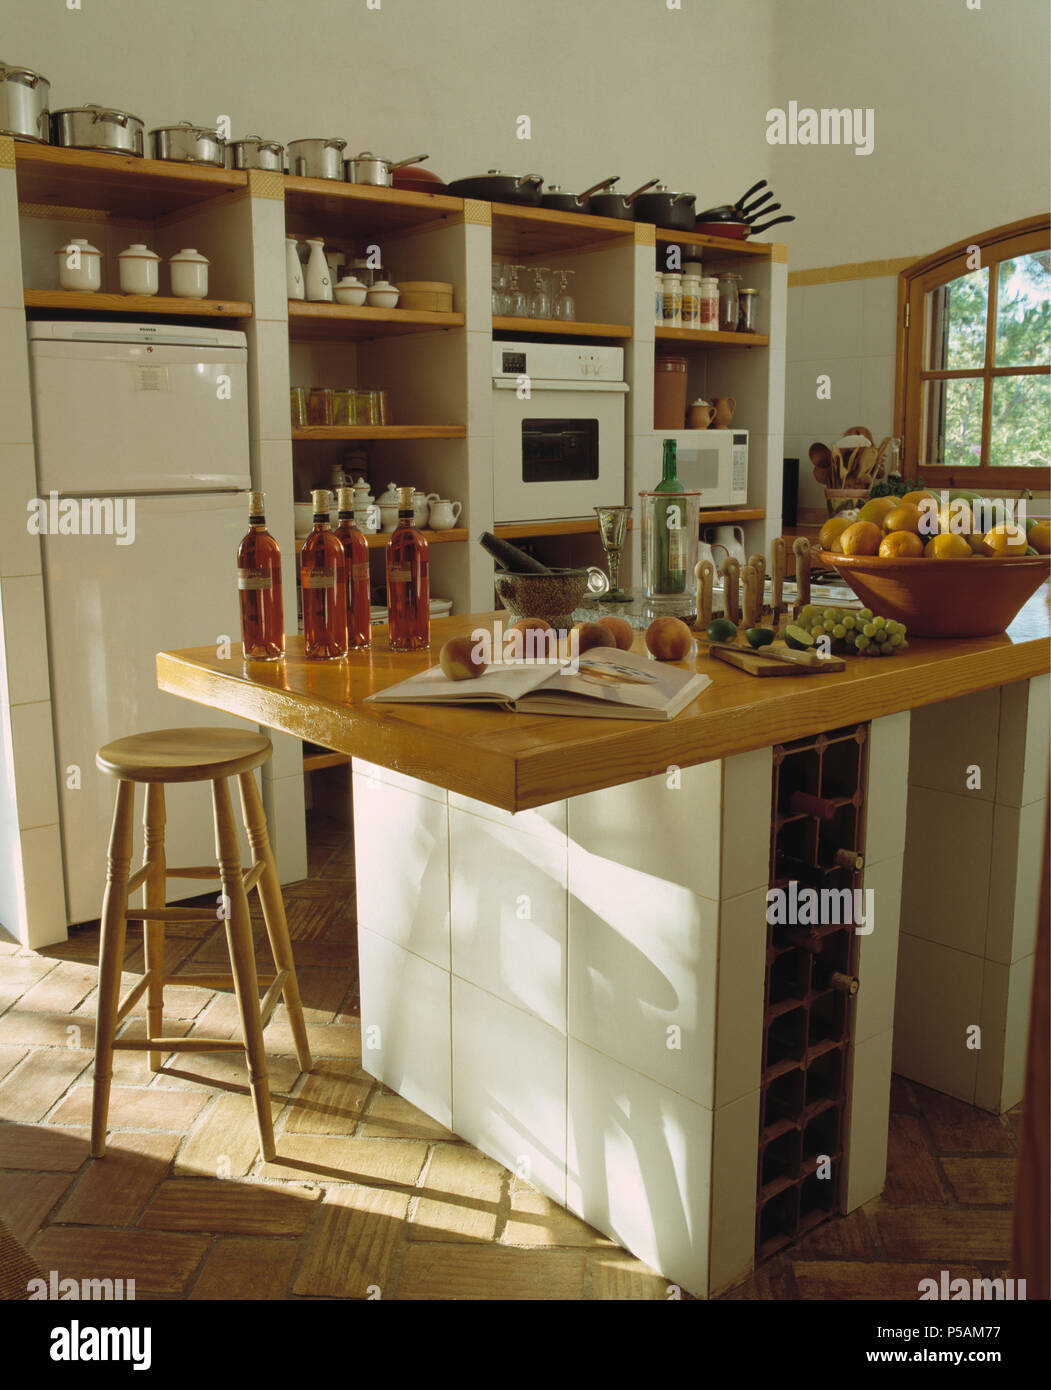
{"x": 558, "y": 430}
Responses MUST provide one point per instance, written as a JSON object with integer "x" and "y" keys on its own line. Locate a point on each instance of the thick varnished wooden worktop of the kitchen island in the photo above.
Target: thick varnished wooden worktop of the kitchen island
{"x": 523, "y": 761}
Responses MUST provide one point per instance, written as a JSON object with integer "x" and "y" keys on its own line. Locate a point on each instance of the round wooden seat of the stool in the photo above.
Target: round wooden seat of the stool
{"x": 184, "y": 755}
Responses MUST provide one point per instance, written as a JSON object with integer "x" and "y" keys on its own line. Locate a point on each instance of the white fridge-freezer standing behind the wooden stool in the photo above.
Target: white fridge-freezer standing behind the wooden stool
{"x": 142, "y": 459}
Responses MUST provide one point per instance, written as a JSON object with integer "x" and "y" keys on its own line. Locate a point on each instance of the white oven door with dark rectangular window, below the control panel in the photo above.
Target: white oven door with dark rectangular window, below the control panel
{"x": 560, "y": 454}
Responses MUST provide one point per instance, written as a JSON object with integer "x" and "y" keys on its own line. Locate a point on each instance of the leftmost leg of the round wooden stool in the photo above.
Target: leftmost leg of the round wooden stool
{"x": 112, "y": 958}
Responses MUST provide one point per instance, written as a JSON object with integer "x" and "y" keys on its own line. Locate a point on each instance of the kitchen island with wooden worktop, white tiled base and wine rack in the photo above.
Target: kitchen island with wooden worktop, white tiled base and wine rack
{"x": 564, "y": 925}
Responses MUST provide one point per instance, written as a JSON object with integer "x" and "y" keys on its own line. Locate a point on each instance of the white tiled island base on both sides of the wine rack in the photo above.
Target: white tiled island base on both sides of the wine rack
{"x": 579, "y": 990}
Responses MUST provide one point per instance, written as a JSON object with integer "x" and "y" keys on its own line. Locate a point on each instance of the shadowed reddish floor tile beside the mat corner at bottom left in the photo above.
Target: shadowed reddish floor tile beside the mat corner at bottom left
{"x": 161, "y": 1267}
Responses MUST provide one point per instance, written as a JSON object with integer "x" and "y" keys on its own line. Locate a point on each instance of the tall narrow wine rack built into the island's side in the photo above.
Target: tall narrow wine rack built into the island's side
{"x": 818, "y": 806}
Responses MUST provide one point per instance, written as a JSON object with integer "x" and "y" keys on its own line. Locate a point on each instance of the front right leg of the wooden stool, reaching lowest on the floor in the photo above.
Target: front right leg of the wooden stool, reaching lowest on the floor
{"x": 243, "y": 961}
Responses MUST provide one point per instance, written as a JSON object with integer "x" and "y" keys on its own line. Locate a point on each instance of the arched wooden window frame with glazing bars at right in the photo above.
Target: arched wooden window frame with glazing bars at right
{"x": 1032, "y": 234}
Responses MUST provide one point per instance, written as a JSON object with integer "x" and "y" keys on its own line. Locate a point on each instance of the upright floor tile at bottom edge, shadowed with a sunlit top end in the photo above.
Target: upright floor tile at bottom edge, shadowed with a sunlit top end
{"x": 352, "y": 1243}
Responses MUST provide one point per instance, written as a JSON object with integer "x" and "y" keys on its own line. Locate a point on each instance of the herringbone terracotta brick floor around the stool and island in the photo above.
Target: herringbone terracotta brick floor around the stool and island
{"x": 369, "y": 1197}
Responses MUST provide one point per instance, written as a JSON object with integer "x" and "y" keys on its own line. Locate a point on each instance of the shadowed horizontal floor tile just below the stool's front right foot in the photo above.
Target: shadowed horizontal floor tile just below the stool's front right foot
{"x": 230, "y": 1207}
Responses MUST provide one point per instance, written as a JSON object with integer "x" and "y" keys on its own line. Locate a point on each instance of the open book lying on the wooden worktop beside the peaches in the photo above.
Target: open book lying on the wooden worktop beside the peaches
{"x": 604, "y": 682}
